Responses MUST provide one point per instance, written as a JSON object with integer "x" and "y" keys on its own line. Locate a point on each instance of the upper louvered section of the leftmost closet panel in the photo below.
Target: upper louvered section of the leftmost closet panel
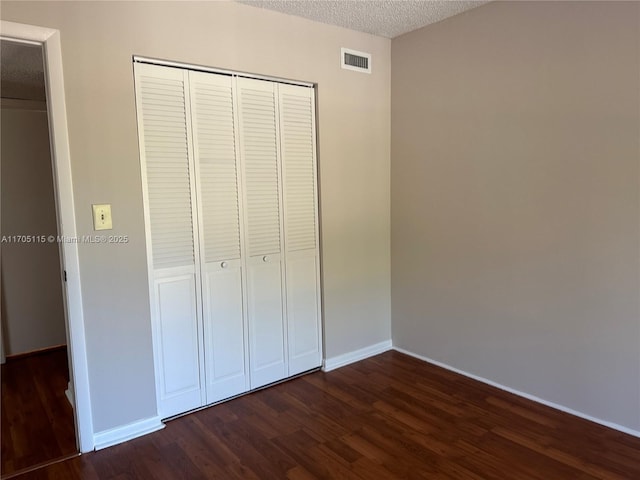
{"x": 161, "y": 95}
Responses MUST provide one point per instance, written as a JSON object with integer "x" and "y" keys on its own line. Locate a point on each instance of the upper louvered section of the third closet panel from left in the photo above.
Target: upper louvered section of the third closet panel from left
{"x": 259, "y": 150}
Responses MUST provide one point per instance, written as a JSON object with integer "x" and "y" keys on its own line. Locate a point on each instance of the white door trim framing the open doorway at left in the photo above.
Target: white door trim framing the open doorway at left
{"x": 50, "y": 40}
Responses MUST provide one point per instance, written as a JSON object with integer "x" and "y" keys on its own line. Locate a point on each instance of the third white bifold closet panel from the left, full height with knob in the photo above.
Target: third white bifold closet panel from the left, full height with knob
{"x": 258, "y": 117}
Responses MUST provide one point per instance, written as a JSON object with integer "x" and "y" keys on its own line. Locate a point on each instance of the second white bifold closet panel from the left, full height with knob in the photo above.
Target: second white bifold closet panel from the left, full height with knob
{"x": 215, "y": 140}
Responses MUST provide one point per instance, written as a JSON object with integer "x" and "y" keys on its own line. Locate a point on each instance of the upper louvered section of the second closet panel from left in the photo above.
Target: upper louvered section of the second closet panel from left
{"x": 215, "y": 150}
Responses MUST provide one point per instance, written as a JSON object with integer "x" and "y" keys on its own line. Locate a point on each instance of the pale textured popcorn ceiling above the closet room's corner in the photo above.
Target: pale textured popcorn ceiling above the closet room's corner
{"x": 385, "y": 18}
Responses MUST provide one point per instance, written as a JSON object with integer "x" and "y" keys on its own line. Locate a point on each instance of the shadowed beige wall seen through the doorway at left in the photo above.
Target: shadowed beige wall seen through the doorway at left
{"x": 32, "y": 309}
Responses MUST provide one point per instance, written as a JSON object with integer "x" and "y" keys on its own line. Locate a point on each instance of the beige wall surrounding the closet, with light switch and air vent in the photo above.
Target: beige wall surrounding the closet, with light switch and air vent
{"x": 98, "y": 41}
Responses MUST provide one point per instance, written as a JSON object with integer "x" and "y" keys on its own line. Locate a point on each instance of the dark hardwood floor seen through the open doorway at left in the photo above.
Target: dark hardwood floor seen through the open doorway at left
{"x": 37, "y": 419}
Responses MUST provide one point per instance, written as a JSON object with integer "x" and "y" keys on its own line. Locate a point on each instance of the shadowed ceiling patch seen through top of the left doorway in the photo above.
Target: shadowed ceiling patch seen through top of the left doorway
{"x": 21, "y": 71}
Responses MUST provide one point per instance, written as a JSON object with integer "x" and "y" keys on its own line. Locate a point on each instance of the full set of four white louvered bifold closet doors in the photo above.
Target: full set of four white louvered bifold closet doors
{"x": 231, "y": 212}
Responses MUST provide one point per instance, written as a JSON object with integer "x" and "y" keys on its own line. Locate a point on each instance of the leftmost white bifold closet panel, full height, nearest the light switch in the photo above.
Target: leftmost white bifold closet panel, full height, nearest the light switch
{"x": 162, "y": 102}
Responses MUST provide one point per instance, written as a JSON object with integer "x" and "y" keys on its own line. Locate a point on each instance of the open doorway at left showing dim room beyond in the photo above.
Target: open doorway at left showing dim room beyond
{"x": 37, "y": 412}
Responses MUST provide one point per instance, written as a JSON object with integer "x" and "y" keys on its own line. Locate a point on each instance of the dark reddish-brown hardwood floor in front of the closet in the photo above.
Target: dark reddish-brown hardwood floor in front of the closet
{"x": 388, "y": 417}
